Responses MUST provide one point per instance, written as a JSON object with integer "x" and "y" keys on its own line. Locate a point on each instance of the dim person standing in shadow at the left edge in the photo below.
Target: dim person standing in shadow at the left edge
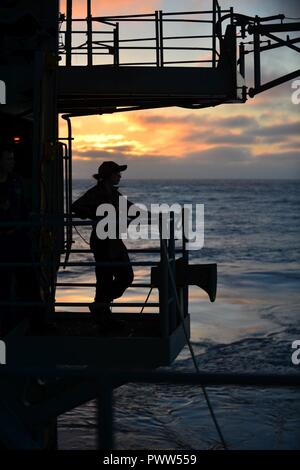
{"x": 16, "y": 283}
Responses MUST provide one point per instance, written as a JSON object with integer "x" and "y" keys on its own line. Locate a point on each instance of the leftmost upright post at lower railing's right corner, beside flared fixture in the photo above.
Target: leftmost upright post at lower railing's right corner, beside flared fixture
{"x": 163, "y": 284}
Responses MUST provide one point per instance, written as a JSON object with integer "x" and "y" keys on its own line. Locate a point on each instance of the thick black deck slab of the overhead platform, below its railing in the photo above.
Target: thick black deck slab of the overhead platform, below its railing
{"x": 81, "y": 88}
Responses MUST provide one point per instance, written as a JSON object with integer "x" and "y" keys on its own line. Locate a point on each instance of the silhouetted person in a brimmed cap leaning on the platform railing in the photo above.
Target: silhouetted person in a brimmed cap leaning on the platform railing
{"x": 111, "y": 281}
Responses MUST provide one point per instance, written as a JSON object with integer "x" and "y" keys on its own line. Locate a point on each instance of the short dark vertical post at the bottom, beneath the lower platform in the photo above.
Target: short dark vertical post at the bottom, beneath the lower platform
{"x": 105, "y": 417}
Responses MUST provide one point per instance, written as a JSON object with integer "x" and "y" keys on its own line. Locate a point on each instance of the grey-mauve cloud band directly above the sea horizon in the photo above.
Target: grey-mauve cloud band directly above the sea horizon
{"x": 217, "y": 162}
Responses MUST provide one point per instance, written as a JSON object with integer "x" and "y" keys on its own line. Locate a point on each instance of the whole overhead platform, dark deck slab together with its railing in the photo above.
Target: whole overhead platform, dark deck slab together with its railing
{"x": 208, "y": 75}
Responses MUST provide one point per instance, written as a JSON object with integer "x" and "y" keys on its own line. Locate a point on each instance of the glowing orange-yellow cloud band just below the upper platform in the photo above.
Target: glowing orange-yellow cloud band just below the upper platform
{"x": 176, "y": 133}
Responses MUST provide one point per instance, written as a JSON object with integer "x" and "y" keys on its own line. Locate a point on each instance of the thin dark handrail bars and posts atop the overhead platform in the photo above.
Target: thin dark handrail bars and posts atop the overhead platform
{"x": 91, "y": 47}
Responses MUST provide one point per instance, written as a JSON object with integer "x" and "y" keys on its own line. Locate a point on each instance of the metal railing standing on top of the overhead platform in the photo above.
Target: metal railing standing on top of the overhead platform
{"x": 81, "y": 37}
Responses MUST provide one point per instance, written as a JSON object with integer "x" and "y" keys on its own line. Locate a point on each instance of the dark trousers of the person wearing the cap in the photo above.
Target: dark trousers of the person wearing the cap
{"x": 111, "y": 281}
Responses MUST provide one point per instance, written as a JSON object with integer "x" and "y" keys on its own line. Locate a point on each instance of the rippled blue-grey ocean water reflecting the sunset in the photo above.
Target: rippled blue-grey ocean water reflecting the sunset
{"x": 252, "y": 232}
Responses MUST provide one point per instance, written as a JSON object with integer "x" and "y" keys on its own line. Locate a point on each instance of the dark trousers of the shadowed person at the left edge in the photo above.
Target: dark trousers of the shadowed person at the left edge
{"x": 18, "y": 284}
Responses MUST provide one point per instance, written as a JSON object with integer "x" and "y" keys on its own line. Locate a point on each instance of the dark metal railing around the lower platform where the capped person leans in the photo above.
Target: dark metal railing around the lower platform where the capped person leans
{"x": 166, "y": 308}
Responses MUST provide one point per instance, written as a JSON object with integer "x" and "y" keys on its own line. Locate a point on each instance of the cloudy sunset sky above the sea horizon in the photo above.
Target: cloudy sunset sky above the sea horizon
{"x": 259, "y": 139}
